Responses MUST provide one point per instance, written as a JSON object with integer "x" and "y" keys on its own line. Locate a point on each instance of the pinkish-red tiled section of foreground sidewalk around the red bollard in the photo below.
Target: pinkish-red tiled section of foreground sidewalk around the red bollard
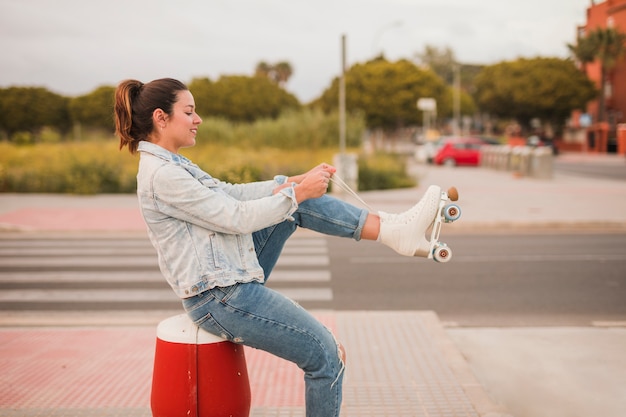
{"x": 85, "y": 368}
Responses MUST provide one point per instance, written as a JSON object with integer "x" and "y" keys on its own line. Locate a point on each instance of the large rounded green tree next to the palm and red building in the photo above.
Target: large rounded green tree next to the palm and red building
{"x": 544, "y": 88}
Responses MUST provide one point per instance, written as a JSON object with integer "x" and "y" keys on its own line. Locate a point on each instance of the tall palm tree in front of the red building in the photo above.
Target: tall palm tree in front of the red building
{"x": 607, "y": 46}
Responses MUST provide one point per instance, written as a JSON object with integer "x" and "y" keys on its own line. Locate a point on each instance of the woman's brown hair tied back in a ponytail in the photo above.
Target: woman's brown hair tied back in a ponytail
{"x": 135, "y": 102}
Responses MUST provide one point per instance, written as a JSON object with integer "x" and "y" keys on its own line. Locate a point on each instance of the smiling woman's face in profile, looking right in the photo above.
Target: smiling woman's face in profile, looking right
{"x": 180, "y": 128}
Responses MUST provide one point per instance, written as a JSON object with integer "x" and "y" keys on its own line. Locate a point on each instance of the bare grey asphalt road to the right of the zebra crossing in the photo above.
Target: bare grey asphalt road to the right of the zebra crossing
{"x": 492, "y": 280}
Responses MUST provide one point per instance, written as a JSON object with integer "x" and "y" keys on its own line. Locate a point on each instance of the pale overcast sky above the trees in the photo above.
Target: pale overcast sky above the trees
{"x": 73, "y": 46}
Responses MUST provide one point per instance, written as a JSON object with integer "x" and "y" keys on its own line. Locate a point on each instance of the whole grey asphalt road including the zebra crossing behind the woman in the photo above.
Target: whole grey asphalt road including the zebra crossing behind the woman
{"x": 493, "y": 280}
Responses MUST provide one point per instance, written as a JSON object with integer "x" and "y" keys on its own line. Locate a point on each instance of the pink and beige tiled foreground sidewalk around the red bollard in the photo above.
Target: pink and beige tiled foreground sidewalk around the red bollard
{"x": 399, "y": 363}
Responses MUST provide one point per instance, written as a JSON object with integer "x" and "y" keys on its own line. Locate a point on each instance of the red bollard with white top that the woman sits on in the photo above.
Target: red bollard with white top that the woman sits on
{"x": 197, "y": 374}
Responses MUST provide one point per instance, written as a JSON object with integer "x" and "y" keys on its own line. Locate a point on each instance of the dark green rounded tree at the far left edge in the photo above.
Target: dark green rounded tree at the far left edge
{"x": 29, "y": 109}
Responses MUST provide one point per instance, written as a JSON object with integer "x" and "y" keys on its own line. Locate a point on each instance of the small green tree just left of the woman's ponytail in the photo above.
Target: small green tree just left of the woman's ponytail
{"x": 94, "y": 109}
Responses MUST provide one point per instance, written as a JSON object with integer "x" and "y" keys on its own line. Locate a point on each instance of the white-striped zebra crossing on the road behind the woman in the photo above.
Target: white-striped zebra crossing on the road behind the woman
{"x": 40, "y": 273}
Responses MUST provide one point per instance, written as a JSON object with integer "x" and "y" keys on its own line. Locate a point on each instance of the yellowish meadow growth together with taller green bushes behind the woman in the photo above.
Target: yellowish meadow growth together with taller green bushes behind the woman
{"x": 232, "y": 152}
